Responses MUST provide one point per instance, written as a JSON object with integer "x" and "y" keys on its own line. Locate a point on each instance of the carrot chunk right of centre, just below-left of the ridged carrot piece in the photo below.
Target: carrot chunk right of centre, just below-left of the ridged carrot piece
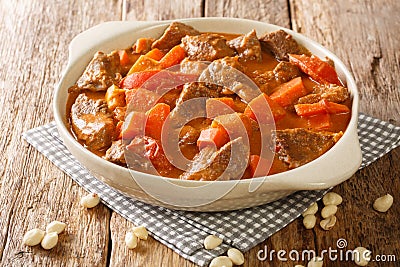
{"x": 256, "y": 109}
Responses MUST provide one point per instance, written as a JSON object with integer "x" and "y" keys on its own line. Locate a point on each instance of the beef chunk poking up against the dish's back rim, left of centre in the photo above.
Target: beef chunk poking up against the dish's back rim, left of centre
{"x": 173, "y": 34}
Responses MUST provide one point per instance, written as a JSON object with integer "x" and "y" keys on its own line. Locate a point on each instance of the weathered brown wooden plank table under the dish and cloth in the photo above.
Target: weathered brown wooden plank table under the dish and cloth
{"x": 34, "y": 50}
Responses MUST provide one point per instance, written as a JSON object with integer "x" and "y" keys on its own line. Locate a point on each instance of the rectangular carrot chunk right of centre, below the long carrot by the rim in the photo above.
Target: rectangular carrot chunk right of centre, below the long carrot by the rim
{"x": 287, "y": 93}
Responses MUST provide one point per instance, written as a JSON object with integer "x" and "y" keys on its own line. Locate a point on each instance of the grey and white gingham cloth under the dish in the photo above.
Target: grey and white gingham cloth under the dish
{"x": 183, "y": 231}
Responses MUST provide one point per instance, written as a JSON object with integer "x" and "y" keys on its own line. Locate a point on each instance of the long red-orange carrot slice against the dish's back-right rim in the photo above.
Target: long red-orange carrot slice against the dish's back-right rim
{"x": 317, "y": 69}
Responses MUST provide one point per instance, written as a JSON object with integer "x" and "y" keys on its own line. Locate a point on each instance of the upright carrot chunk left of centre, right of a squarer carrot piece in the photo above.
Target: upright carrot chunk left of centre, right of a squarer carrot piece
{"x": 156, "y": 117}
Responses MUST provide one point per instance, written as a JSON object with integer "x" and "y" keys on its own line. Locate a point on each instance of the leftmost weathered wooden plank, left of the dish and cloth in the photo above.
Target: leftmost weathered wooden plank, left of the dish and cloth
{"x": 35, "y": 38}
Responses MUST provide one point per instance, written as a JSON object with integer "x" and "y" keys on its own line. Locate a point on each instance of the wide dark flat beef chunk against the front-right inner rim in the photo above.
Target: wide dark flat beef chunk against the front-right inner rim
{"x": 299, "y": 146}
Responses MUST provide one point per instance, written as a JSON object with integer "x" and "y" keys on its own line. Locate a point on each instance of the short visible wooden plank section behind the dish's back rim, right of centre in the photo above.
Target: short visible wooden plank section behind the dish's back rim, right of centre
{"x": 270, "y": 11}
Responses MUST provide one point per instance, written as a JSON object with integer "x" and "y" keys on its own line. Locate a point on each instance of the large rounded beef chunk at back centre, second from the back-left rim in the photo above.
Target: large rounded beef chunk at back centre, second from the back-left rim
{"x": 206, "y": 47}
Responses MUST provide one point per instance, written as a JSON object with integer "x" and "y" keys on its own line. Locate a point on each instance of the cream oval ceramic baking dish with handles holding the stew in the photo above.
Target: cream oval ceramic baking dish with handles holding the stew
{"x": 332, "y": 168}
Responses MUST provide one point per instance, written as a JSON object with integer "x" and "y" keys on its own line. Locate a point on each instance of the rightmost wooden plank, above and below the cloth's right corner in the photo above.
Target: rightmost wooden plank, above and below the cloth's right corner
{"x": 361, "y": 33}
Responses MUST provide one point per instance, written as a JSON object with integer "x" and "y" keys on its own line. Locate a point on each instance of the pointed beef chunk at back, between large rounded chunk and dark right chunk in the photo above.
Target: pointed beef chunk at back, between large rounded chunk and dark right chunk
{"x": 247, "y": 46}
